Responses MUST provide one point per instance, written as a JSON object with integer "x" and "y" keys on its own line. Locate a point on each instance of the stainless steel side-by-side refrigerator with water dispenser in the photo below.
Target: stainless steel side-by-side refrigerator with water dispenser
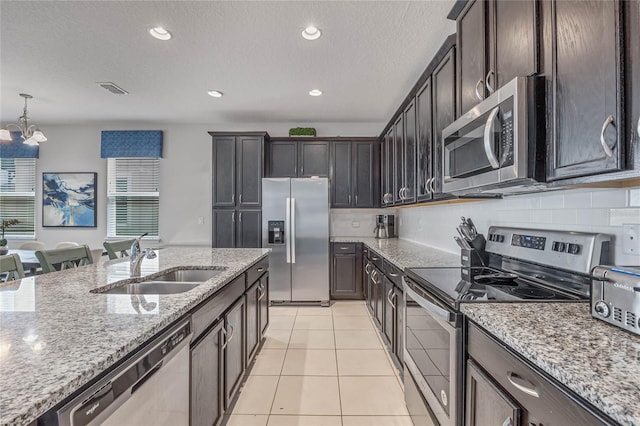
{"x": 295, "y": 225}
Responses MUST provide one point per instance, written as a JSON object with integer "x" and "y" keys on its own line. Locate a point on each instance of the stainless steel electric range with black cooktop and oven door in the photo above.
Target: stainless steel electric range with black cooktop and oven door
{"x": 523, "y": 265}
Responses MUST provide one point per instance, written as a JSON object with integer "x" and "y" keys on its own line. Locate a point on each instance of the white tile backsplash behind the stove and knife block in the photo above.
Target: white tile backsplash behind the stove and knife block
{"x": 595, "y": 210}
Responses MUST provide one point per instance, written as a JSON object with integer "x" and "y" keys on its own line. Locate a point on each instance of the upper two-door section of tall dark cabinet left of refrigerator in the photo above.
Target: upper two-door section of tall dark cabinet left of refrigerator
{"x": 238, "y": 169}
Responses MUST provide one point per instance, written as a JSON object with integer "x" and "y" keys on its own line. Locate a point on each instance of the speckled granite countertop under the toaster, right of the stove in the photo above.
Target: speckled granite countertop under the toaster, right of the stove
{"x": 599, "y": 362}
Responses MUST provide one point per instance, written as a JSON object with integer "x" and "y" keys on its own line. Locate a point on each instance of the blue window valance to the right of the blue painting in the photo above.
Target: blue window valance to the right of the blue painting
{"x": 131, "y": 143}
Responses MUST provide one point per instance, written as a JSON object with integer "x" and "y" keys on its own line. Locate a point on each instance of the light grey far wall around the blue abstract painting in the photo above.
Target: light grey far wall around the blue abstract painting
{"x": 185, "y": 174}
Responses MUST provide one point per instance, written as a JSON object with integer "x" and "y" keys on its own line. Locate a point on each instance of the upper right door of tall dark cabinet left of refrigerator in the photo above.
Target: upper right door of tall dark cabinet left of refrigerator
{"x": 249, "y": 171}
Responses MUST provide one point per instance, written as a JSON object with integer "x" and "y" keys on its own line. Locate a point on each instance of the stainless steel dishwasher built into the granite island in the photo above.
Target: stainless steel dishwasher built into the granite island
{"x": 151, "y": 388}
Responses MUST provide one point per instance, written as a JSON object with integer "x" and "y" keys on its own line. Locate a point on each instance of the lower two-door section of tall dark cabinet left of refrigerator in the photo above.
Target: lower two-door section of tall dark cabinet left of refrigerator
{"x": 237, "y": 228}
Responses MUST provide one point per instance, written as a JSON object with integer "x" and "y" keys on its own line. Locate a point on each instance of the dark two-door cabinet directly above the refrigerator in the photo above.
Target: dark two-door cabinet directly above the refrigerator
{"x": 290, "y": 158}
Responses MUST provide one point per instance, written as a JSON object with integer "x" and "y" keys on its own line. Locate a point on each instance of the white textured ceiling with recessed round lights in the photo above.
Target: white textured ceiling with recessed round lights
{"x": 370, "y": 55}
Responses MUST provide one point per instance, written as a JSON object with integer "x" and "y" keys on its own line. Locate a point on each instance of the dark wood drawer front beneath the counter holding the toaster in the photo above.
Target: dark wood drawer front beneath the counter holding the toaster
{"x": 542, "y": 399}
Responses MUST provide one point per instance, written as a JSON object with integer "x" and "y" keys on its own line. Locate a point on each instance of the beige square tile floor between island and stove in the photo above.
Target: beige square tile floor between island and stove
{"x": 322, "y": 367}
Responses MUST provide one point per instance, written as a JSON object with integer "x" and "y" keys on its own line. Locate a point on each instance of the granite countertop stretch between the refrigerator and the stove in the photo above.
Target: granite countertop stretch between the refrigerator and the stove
{"x": 405, "y": 254}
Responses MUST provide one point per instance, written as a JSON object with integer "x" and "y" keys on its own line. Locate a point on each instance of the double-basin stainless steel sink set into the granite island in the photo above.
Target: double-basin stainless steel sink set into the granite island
{"x": 178, "y": 281}
